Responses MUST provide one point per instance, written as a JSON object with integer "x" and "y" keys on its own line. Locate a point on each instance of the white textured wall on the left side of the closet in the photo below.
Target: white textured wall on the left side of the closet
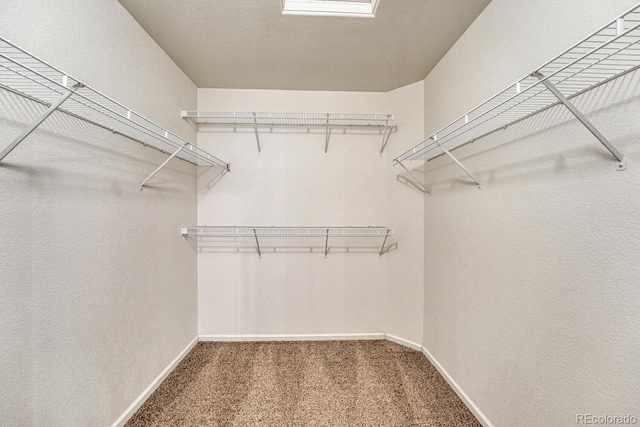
{"x": 98, "y": 291}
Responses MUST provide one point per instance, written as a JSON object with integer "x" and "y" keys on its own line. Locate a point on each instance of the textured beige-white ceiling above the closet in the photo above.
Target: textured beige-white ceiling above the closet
{"x": 250, "y": 44}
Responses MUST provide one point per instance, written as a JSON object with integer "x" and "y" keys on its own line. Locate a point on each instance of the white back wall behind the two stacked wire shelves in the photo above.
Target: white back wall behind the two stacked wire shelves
{"x": 293, "y": 183}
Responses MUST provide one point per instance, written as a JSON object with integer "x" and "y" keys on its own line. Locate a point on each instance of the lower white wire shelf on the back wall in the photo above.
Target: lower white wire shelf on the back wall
{"x": 318, "y": 239}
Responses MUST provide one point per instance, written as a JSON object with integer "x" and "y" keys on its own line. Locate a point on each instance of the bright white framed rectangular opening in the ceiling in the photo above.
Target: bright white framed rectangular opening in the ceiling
{"x": 346, "y": 8}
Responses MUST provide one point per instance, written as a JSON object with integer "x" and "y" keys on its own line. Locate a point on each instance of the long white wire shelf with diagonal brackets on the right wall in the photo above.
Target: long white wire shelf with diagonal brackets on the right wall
{"x": 608, "y": 53}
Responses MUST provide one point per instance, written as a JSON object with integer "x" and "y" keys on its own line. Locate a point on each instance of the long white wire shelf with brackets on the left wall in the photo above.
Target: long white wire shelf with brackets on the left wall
{"x": 26, "y": 75}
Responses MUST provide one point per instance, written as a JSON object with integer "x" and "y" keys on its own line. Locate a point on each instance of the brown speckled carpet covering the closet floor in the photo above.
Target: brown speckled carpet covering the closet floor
{"x": 323, "y": 383}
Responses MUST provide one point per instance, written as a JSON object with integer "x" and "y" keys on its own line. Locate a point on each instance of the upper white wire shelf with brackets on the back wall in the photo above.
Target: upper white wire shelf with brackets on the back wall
{"x": 379, "y": 123}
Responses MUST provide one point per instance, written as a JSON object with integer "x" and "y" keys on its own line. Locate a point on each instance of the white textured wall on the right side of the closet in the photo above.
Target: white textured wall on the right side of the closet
{"x": 531, "y": 284}
